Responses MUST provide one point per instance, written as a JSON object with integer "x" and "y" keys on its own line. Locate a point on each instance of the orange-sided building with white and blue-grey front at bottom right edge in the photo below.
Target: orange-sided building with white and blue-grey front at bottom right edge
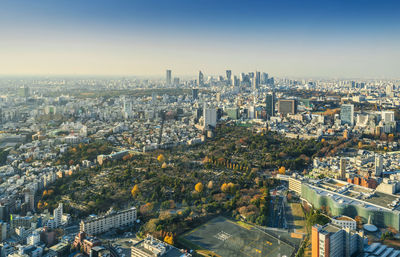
{"x": 333, "y": 241}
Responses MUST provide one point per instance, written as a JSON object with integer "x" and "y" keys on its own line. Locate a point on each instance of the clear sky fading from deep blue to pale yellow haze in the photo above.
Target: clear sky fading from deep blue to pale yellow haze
{"x": 291, "y": 38}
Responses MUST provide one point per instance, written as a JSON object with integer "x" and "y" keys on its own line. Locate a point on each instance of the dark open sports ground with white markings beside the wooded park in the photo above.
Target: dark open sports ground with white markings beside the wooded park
{"x": 227, "y": 238}
